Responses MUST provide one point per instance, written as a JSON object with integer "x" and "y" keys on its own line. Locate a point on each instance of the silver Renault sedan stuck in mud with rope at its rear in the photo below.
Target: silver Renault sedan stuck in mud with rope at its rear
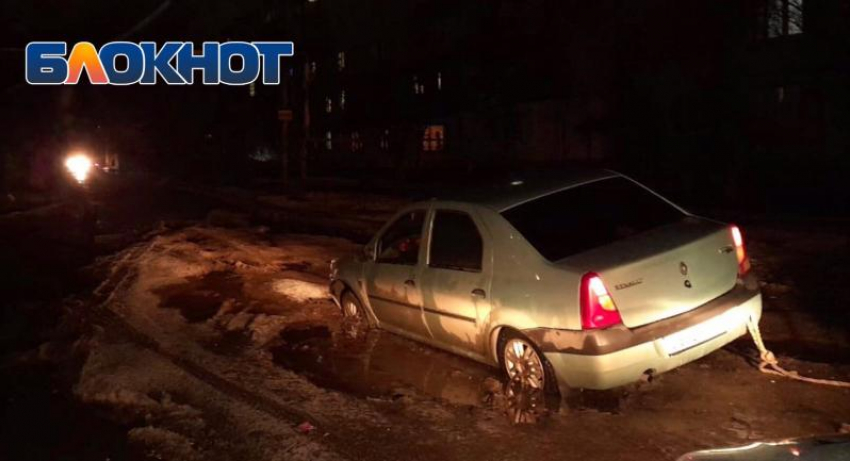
{"x": 591, "y": 281}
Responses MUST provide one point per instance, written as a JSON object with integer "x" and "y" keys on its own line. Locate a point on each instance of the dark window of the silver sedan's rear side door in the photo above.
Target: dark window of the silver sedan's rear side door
{"x": 455, "y": 242}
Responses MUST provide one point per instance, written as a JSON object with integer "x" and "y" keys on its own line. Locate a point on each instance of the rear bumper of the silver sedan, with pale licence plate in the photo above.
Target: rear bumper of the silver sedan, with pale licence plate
{"x": 609, "y": 358}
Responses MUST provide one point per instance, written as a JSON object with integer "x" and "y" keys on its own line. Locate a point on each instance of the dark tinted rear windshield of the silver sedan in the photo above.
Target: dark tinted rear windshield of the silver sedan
{"x": 589, "y": 216}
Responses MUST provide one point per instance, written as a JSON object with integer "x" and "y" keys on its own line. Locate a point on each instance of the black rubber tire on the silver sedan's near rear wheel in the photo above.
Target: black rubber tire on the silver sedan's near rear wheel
{"x": 512, "y": 338}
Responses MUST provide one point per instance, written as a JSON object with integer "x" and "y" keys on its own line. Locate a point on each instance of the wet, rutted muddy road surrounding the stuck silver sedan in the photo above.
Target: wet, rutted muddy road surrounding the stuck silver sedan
{"x": 204, "y": 342}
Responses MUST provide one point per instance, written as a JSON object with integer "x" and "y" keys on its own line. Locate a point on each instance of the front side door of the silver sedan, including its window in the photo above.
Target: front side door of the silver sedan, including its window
{"x": 391, "y": 280}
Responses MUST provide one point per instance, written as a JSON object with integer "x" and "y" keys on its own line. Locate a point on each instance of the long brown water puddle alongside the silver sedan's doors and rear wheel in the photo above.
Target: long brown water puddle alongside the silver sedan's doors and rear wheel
{"x": 373, "y": 363}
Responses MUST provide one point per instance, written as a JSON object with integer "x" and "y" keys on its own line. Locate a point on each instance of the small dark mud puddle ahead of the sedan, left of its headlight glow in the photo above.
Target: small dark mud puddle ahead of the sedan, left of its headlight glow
{"x": 200, "y": 298}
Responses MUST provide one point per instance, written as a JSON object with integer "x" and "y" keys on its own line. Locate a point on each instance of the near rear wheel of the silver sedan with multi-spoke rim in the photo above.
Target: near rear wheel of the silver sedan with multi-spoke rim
{"x": 524, "y": 364}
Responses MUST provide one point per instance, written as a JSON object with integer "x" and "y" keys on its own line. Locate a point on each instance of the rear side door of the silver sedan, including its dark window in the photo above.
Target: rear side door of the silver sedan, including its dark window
{"x": 455, "y": 280}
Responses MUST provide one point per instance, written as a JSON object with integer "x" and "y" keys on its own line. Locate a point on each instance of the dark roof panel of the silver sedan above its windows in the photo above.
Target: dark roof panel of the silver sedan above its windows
{"x": 501, "y": 195}
